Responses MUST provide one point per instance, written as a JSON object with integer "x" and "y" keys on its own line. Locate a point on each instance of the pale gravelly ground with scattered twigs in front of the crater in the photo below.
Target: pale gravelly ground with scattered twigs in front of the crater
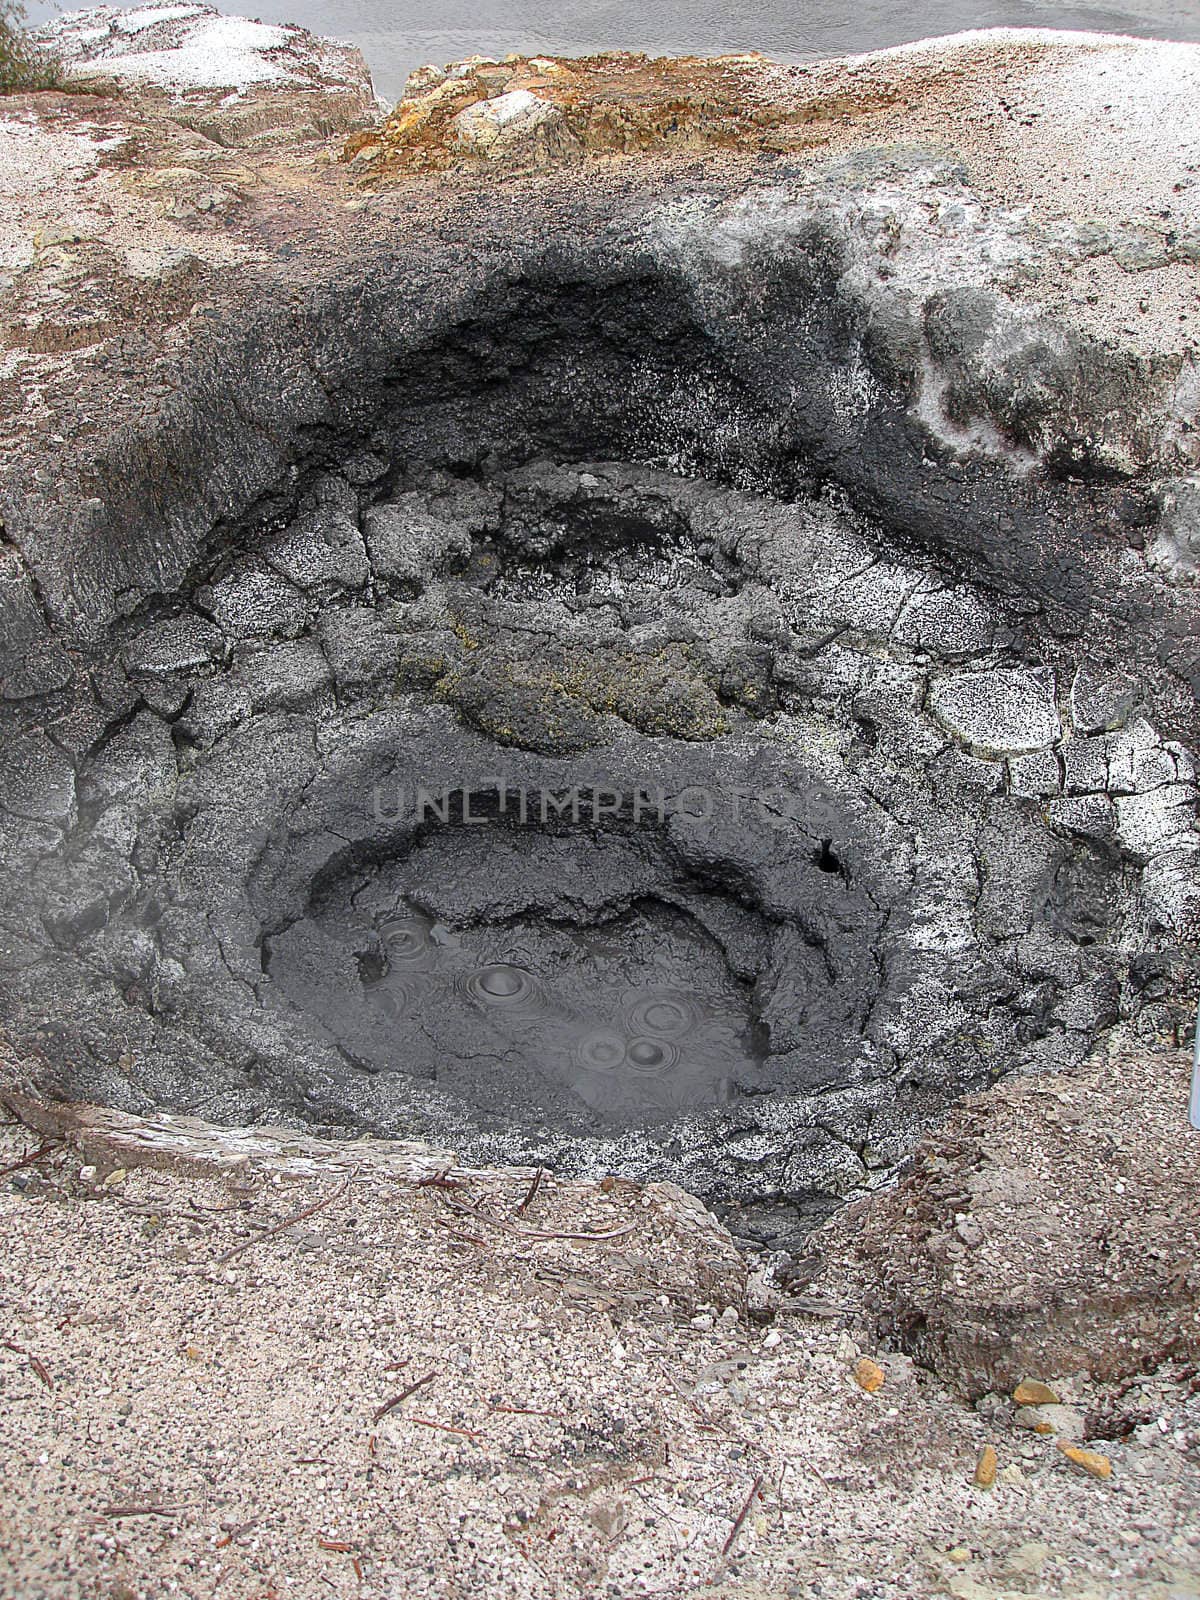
{"x": 178, "y": 1425}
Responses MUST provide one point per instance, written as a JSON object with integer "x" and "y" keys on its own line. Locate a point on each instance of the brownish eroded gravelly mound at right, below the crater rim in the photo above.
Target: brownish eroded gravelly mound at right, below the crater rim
{"x": 1050, "y": 1226}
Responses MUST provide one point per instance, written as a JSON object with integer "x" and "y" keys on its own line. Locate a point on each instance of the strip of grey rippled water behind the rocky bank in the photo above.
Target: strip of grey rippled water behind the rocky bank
{"x": 399, "y": 38}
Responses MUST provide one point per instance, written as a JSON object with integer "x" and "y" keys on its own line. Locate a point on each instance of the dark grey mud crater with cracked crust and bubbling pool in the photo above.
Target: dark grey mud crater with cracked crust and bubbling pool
{"x": 580, "y": 759}
